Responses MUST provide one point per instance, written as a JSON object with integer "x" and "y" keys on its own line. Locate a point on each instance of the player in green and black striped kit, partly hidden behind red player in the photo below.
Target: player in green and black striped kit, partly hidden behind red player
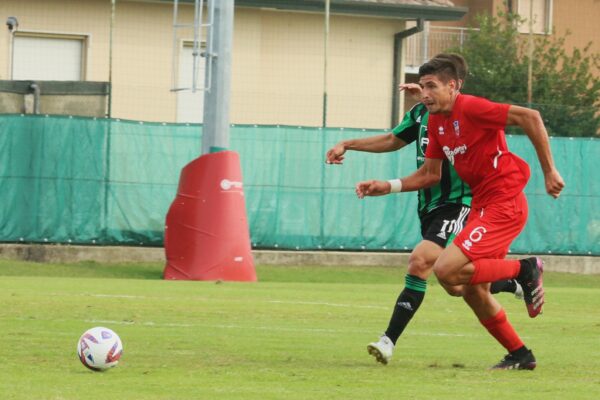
{"x": 443, "y": 210}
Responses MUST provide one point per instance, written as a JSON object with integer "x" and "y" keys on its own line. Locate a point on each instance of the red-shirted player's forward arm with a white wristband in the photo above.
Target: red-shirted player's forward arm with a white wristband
{"x": 428, "y": 175}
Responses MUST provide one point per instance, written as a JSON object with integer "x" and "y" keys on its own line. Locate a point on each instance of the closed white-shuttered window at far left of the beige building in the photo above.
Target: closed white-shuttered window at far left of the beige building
{"x": 50, "y": 57}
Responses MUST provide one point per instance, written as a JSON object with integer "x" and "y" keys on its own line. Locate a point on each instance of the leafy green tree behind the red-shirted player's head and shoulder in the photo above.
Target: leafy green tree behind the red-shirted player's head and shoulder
{"x": 565, "y": 91}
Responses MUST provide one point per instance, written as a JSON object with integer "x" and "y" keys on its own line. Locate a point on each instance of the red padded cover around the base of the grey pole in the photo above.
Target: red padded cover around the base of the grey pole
{"x": 206, "y": 230}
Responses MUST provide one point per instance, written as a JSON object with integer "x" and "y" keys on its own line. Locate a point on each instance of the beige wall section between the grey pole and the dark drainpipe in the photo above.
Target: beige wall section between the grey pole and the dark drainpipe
{"x": 278, "y": 69}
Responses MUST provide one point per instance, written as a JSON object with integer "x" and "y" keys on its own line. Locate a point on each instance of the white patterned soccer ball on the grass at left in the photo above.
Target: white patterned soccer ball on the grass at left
{"x": 99, "y": 348}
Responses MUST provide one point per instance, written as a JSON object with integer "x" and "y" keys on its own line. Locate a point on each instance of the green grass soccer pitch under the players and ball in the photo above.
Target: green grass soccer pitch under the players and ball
{"x": 299, "y": 333}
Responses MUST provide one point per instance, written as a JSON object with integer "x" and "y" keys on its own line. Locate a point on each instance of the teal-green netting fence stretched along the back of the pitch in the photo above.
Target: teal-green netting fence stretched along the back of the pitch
{"x": 101, "y": 181}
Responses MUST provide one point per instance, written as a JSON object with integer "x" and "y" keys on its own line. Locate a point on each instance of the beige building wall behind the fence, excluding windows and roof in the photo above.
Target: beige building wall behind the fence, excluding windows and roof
{"x": 277, "y": 67}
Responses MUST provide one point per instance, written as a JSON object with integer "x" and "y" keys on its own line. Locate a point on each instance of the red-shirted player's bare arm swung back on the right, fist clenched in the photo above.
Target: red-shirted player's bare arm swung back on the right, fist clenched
{"x": 531, "y": 122}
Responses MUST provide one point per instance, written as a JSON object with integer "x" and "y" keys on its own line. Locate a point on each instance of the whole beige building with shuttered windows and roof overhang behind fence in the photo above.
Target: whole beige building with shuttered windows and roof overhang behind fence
{"x": 278, "y": 69}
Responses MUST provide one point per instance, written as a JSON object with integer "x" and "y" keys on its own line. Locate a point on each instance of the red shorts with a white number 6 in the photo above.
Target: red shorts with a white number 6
{"x": 491, "y": 230}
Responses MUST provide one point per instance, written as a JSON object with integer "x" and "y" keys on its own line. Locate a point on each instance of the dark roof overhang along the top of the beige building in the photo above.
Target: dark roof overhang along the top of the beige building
{"x": 386, "y": 9}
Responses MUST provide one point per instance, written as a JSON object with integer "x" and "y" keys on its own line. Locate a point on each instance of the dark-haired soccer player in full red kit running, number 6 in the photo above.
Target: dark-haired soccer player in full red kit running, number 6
{"x": 469, "y": 132}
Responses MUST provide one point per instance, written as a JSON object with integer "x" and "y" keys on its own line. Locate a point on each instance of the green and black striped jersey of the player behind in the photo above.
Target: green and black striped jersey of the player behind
{"x": 451, "y": 188}
